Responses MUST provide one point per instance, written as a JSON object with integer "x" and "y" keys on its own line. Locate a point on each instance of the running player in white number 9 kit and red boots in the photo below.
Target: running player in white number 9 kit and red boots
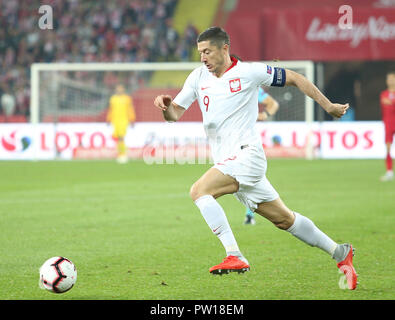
{"x": 227, "y": 92}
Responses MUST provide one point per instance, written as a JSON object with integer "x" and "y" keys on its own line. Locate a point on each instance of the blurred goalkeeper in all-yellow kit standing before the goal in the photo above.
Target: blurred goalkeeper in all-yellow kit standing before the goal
{"x": 121, "y": 113}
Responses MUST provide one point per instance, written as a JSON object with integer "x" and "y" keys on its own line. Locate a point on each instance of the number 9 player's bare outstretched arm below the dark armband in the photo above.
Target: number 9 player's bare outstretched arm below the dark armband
{"x": 293, "y": 78}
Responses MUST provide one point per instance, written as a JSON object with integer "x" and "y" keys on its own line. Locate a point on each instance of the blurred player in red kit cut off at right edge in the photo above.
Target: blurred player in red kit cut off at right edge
{"x": 387, "y": 101}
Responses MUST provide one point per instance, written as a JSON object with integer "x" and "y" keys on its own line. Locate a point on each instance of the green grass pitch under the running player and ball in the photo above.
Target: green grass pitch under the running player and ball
{"x": 133, "y": 232}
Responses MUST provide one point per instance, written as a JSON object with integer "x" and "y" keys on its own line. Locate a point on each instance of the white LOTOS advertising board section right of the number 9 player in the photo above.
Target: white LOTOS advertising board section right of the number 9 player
{"x": 329, "y": 140}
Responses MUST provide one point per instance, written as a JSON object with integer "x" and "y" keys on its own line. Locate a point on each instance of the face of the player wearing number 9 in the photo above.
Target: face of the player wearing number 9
{"x": 212, "y": 56}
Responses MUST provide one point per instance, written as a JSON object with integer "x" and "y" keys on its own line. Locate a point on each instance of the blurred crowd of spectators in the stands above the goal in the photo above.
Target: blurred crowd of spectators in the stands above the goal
{"x": 83, "y": 31}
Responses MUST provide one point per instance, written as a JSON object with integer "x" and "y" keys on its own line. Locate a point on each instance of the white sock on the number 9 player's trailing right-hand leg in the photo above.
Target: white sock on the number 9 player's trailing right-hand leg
{"x": 305, "y": 230}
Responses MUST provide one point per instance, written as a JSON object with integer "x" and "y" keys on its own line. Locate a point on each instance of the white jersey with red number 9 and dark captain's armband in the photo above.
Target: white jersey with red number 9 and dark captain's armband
{"x": 229, "y": 104}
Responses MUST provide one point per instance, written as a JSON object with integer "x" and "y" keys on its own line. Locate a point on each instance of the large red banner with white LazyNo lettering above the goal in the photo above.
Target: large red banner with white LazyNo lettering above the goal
{"x": 314, "y": 32}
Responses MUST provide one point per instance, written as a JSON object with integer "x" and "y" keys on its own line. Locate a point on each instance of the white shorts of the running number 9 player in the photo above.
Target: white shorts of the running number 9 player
{"x": 248, "y": 167}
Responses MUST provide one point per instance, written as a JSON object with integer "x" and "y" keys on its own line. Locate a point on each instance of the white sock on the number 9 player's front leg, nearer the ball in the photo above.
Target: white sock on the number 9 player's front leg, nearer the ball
{"x": 216, "y": 219}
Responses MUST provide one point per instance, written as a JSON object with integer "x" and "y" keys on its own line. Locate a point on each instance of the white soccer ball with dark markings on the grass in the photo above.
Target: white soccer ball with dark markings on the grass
{"x": 57, "y": 275}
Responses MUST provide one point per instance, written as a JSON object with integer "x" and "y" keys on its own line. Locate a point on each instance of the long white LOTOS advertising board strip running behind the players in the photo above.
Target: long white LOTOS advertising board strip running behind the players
{"x": 161, "y": 142}
